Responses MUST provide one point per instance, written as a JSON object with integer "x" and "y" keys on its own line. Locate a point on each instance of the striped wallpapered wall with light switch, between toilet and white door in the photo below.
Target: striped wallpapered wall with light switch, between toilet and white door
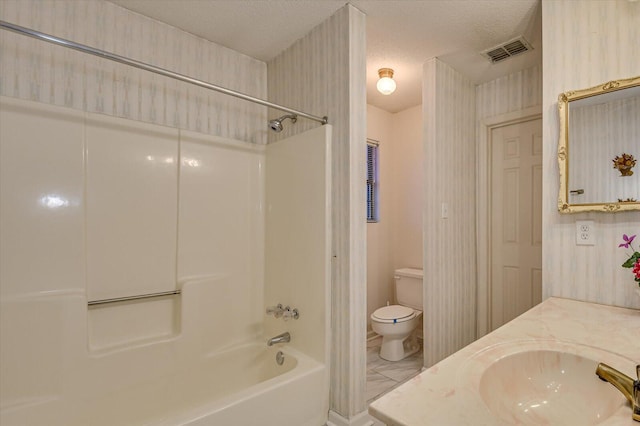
{"x": 449, "y": 244}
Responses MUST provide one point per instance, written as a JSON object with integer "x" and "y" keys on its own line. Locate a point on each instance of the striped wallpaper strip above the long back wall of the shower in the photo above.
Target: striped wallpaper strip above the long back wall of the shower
{"x": 35, "y": 70}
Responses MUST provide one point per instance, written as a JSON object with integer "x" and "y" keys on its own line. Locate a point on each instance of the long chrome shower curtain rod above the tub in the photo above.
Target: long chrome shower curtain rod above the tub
{"x": 141, "y": 65}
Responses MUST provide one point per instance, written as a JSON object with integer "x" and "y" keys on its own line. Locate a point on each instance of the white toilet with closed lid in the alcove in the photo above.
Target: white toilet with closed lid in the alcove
{"x": 396, "y": 323}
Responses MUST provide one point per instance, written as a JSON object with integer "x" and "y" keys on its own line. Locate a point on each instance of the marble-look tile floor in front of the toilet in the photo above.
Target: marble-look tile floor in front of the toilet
{"x": 382, "y": 375}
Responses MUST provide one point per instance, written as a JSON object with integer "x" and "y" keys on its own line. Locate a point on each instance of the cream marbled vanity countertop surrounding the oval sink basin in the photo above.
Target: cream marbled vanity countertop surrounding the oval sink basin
{"x": 447, "y": 393}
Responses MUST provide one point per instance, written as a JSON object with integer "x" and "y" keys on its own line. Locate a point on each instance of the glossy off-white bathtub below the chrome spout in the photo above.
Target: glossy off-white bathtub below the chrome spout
{"x": 241, "y": 386}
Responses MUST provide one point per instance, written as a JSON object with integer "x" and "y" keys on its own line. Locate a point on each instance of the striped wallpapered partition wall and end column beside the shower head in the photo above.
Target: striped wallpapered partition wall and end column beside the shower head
{"x": 325, "y": 73}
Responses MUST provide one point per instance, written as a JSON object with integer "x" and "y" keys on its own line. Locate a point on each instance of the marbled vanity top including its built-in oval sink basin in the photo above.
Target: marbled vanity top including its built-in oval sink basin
{"x": 538, "y": 369}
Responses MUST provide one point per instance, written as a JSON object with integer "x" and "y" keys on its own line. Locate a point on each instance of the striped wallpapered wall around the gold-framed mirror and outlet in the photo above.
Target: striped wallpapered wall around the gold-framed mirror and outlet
{"x": 585, "y": 43}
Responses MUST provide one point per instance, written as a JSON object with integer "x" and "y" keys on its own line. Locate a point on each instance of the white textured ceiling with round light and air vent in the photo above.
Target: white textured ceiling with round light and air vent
{"x": 401, "y": 34}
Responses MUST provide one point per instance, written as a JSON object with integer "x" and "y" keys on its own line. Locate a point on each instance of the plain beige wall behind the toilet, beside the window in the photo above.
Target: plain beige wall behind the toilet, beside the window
{"x": 396, "y": 241}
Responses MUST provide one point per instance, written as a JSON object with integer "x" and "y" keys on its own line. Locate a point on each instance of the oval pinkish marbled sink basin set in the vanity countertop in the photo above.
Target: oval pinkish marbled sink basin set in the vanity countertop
{"x": 547, "y": 387}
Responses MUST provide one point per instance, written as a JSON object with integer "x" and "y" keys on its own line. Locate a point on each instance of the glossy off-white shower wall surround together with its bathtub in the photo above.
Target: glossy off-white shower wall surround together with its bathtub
{"x": 97, "y": 208}
